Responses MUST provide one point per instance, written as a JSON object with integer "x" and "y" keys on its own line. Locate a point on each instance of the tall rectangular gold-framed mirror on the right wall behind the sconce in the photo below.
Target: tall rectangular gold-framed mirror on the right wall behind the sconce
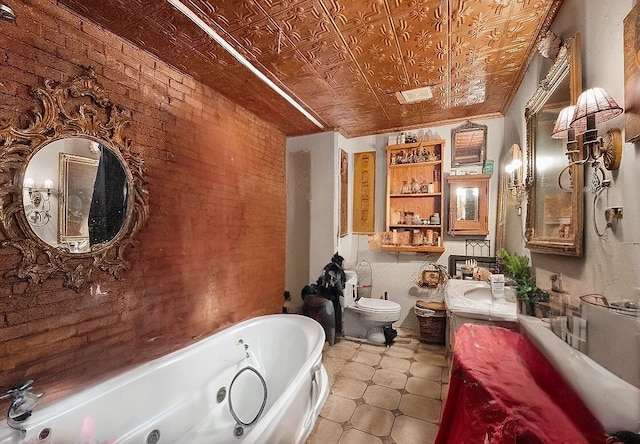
{"x": 554, "y": 223}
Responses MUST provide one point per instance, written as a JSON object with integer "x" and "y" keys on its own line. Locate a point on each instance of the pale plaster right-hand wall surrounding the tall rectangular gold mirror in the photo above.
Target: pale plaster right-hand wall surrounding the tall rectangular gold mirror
{"x": 611, "y": 264}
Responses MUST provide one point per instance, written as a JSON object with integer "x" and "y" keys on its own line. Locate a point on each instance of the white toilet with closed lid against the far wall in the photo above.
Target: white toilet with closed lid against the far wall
{"x": 364, "y": 319}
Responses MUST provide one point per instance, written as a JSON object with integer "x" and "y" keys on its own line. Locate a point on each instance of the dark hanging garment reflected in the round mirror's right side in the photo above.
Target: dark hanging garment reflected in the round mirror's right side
{"x": 109, "y": 200}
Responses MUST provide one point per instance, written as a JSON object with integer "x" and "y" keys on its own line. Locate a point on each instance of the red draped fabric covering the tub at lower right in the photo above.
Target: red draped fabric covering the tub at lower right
{"x": 503, "y": 390}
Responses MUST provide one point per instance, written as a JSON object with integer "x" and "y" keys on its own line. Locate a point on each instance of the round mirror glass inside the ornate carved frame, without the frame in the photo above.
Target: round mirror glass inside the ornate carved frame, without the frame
{"x": 75, "y": 194}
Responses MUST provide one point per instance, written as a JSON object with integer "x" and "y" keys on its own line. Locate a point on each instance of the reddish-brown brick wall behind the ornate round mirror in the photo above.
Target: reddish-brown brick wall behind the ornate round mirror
{"x": 212, "y": 253}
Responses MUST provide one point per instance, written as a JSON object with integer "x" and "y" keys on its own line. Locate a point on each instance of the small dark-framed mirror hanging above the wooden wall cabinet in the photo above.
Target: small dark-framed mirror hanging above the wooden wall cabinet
{"x": 469, "y": 145}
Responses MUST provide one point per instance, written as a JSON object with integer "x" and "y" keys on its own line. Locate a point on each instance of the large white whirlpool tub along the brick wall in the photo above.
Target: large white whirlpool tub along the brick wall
{"x": 259, "y": 381}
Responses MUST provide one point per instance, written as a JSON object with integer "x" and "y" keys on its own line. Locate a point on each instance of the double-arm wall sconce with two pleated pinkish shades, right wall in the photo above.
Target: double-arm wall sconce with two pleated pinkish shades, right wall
{"x": 593, "y": 107}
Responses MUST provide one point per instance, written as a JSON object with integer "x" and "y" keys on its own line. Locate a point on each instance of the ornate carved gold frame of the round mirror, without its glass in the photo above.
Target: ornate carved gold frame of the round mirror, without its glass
{"x": 79, "y": 108}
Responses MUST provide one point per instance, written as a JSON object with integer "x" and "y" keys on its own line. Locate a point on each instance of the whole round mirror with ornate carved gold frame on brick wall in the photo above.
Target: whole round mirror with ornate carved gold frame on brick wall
{"x": 73, "y": 192}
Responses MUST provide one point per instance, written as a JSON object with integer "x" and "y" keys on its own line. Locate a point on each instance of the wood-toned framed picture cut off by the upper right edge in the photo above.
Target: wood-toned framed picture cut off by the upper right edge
{"x": 632, "y": 74}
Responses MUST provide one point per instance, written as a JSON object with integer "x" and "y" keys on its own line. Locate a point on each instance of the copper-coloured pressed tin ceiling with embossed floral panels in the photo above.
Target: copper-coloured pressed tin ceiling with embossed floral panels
{"x": 344, "y": 60}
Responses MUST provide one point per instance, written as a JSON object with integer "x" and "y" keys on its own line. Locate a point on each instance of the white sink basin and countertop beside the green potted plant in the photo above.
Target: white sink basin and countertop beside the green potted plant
{"x": 472, "y": 299}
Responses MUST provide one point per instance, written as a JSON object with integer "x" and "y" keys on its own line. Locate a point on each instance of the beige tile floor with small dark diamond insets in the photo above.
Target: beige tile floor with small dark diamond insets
{"x": 383, "y": 395}
